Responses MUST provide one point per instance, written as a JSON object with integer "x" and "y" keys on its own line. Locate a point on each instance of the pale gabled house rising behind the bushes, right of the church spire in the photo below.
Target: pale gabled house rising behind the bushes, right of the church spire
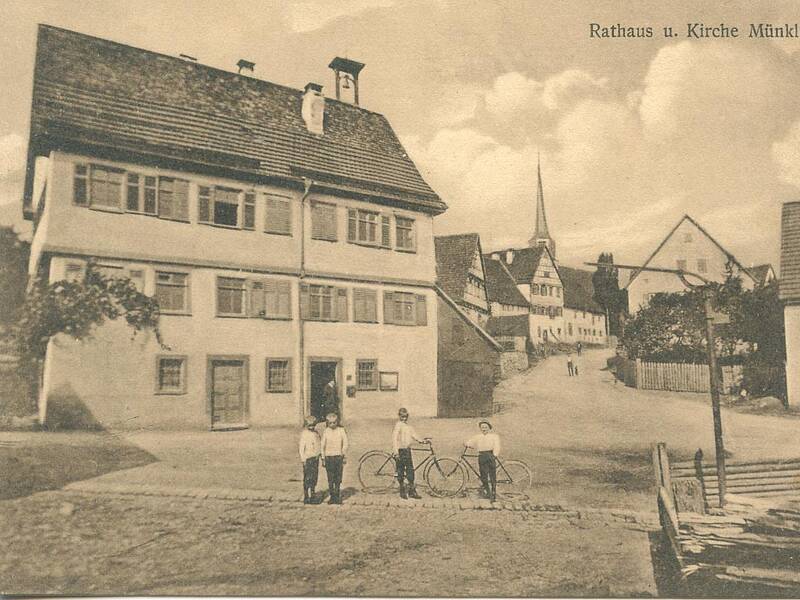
{"x": 688, "y": 247}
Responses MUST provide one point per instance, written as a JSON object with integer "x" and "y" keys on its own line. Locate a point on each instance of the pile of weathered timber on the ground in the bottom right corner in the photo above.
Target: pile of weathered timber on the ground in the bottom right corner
{"x": 755, "y": 544}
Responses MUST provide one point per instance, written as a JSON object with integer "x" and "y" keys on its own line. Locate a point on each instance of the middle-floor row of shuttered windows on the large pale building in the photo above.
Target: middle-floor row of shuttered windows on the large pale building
{"x": 271, "y": 298}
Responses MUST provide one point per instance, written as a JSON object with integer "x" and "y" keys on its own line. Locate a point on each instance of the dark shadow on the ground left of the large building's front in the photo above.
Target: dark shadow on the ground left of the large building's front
{"x": 44, "y": 461}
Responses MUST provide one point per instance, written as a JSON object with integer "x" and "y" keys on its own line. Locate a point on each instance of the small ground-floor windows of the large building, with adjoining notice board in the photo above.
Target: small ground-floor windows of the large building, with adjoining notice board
{"x": 171, "y": 375}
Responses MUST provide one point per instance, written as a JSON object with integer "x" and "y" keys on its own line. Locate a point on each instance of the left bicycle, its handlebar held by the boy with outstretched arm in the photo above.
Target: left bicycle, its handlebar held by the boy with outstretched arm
{"x": 377, "y": 472}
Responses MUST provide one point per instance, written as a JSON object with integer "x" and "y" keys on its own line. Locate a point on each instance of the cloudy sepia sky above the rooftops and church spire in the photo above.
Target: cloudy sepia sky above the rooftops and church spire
{"x": 632, "y": 133}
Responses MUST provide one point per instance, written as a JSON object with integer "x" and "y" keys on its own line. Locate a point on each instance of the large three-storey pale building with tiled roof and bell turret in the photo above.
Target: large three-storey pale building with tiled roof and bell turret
{"x": 286, "y": 235}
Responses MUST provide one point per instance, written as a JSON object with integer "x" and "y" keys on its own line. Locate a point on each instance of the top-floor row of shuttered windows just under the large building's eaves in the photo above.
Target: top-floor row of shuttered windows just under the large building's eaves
{"x": 118, "y": 190}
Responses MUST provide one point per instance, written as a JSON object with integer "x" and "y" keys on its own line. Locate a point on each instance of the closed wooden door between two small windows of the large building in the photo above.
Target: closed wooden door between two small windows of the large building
{"x": 228, "y": 391}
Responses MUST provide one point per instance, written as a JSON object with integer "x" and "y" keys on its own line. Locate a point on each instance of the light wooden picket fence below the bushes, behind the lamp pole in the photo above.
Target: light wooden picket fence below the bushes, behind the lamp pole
{"x": 682, "y": 377}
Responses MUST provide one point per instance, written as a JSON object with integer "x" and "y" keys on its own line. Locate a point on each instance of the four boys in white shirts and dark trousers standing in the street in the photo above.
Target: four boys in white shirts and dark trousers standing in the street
{"x": 332, "y": 449}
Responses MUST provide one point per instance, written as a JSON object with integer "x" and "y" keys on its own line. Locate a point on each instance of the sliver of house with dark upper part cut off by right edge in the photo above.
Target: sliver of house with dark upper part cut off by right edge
{"x": 789, "y": 292}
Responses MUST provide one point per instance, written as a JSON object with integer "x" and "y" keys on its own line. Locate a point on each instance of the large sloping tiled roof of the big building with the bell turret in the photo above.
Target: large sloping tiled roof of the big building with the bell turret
{"x": 96, "y": 92}
